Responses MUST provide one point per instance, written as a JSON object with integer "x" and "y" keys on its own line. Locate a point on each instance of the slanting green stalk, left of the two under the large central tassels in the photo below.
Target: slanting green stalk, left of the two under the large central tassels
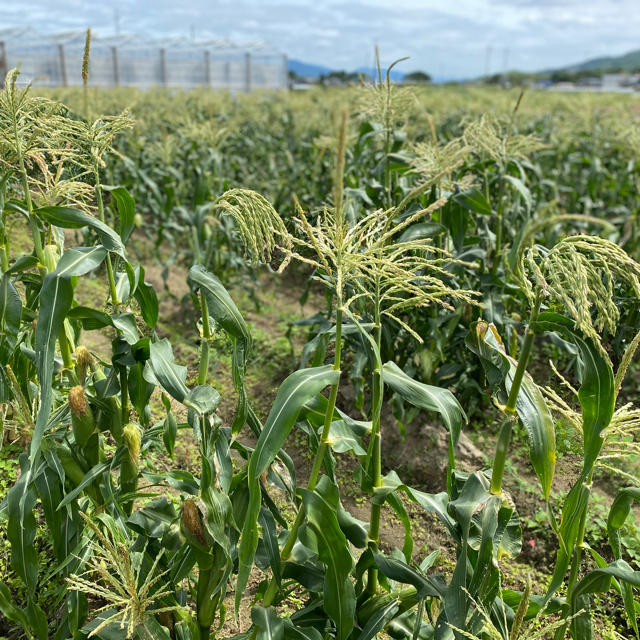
{"x": 318, "y": 460}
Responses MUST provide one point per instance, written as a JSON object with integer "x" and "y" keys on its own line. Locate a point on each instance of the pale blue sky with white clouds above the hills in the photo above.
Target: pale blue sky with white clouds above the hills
{"x": 447, "y": 38}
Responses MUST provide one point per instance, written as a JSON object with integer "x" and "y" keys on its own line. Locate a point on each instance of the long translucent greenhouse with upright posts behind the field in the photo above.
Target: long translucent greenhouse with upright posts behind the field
{"x": 131, "y": 61}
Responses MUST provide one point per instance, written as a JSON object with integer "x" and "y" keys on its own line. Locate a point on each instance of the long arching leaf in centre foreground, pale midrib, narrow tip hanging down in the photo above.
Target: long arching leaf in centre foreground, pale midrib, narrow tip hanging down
{"x": 293, "y": 393}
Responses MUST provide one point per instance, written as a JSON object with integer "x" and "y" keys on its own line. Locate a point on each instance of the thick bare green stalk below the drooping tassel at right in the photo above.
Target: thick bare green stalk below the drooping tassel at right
{"x": 504, "y": 436}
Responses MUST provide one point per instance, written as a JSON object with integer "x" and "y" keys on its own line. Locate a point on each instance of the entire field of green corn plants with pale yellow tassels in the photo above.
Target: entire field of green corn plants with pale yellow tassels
{"x": 471, "y": 260}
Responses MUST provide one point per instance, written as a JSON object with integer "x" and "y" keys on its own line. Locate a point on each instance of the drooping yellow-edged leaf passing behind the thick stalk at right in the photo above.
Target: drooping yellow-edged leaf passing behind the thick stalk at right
{"x": 531, "y": 407}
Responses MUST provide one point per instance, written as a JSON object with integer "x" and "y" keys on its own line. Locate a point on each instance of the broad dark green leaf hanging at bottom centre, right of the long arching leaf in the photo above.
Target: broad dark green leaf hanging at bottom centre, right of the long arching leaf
{"x": 339, "y": 594}
